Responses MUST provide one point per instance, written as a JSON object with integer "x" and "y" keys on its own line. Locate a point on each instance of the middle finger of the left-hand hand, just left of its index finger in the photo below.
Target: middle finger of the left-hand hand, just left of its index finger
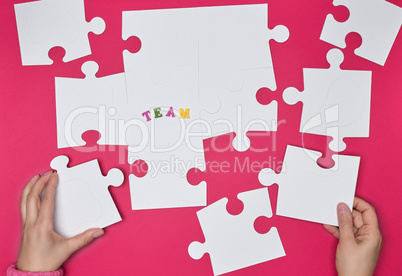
{"x": 33, "y": 199}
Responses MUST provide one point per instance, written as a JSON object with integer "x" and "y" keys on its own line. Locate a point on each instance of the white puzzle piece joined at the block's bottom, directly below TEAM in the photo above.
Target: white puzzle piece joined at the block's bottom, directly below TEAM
{"x": 165, "y": 185}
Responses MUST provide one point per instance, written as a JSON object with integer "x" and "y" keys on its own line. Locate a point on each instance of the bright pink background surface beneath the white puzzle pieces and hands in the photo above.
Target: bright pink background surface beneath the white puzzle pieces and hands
{"x": 155, "y": 242}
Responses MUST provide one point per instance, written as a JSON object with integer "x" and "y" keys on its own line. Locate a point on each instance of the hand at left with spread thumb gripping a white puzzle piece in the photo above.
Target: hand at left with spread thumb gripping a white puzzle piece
{"x": 42, "y": 249}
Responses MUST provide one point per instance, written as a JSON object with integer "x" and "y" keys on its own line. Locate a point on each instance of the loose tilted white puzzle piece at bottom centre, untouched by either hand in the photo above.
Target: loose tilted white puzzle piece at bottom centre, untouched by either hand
{"x": 231, "y": 241}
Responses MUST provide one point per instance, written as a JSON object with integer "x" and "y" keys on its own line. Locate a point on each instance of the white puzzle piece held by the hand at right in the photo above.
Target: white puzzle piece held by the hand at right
{"x": 309, "y": 192}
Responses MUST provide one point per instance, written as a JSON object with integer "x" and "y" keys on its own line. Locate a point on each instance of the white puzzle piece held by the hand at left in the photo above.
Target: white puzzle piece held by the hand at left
{"x": 82, "y": 198}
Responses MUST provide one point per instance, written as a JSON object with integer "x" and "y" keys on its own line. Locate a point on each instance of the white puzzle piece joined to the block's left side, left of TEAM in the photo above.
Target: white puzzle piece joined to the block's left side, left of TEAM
{"x": 91, "y": 104}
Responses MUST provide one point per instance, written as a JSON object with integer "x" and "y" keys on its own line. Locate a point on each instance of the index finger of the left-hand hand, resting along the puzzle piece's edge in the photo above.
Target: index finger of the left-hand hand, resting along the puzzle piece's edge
{"x": 47, "y": 202}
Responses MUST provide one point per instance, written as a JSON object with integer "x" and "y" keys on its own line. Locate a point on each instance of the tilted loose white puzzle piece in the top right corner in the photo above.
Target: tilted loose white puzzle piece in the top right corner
{"x": 376, "y": 21}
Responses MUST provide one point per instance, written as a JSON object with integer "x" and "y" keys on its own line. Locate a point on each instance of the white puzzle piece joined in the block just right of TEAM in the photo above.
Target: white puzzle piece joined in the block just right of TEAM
{"x": 240, "y": 112}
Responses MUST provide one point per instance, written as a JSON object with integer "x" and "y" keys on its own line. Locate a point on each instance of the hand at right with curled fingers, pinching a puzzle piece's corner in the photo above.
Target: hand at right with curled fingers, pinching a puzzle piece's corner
{"x": 359, "y": 237}
